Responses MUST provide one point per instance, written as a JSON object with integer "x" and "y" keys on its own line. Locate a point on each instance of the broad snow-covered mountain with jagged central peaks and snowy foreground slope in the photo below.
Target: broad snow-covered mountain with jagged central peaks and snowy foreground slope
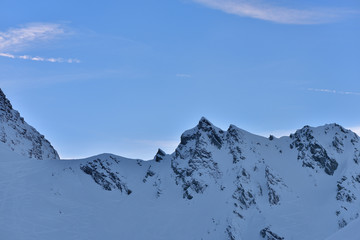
{"x": 216, "y": 185}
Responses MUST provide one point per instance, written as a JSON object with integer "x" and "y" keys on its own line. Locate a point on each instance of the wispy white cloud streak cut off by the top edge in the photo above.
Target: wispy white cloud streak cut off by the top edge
{"x": 279, "y": 14}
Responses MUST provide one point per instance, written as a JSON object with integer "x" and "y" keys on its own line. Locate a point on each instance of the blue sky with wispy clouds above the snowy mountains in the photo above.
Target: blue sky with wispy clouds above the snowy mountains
{"x": 127, "y": 77}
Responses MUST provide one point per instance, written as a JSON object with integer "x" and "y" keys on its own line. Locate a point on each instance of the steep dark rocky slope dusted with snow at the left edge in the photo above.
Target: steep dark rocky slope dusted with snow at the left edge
{"x": 19, "y": 136}
